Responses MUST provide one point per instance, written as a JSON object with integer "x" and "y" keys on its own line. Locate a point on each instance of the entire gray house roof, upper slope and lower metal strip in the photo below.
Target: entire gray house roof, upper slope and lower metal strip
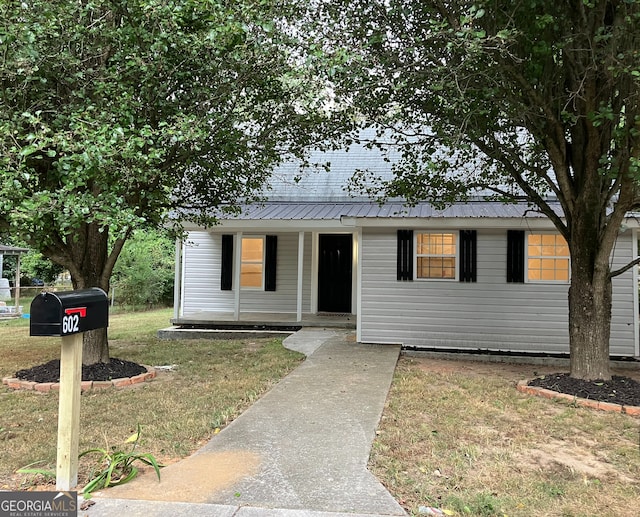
{"x": 320, "y": 192}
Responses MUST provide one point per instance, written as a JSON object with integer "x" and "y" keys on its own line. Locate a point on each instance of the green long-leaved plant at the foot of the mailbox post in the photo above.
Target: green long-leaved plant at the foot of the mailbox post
{"x": 116, "y": 467}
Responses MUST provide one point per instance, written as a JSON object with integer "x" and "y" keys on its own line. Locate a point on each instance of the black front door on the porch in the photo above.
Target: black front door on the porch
{"x": 334, "y": 273}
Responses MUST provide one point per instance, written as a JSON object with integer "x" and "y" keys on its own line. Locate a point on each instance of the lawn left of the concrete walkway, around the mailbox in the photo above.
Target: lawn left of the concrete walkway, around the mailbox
{"x": 211, "y": 384}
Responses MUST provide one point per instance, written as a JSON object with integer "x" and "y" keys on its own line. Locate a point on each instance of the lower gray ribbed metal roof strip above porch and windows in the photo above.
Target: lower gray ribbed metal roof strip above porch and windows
{"x": 307, "y": 211}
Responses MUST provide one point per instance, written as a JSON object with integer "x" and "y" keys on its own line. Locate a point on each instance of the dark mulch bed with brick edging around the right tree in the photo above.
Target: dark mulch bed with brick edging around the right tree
{"x": 619, "y": 390}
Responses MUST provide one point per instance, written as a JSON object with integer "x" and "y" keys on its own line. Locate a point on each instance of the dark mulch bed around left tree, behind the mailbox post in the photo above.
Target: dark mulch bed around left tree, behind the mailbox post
{"x": 115, "y": 369}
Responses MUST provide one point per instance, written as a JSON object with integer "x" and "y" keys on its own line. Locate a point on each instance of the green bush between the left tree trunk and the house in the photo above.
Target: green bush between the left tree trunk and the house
{"x": 144, "y": 273}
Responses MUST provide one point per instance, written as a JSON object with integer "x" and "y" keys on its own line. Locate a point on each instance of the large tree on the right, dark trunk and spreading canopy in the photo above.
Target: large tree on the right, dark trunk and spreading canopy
{"x": 531, "y": 100}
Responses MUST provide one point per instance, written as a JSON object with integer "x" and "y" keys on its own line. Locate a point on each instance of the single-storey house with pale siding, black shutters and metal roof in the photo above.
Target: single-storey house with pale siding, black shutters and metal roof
{"x": 475, "y": 276}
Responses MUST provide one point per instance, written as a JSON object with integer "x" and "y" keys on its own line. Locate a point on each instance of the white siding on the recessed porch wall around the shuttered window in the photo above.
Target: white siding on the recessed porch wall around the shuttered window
{"x": 202, "y": 262}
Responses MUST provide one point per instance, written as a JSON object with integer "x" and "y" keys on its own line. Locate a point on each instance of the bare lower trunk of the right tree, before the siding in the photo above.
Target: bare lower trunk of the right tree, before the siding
{"x": 590, "y": 298}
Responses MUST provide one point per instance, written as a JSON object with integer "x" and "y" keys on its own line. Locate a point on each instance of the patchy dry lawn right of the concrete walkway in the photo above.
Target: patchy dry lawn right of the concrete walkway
{"x": 457, "y": 436}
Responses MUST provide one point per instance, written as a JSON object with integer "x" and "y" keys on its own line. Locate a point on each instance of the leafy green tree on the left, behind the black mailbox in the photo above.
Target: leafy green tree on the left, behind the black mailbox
{"x": 115, "y": 112}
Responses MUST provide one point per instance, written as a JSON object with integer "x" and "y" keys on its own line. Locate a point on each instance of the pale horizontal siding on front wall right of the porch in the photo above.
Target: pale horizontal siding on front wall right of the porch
{"x": 488, "y": 314}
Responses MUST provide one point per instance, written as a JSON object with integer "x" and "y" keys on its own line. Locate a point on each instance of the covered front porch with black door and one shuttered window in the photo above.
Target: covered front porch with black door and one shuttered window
{"x": 299, "y": 277}
